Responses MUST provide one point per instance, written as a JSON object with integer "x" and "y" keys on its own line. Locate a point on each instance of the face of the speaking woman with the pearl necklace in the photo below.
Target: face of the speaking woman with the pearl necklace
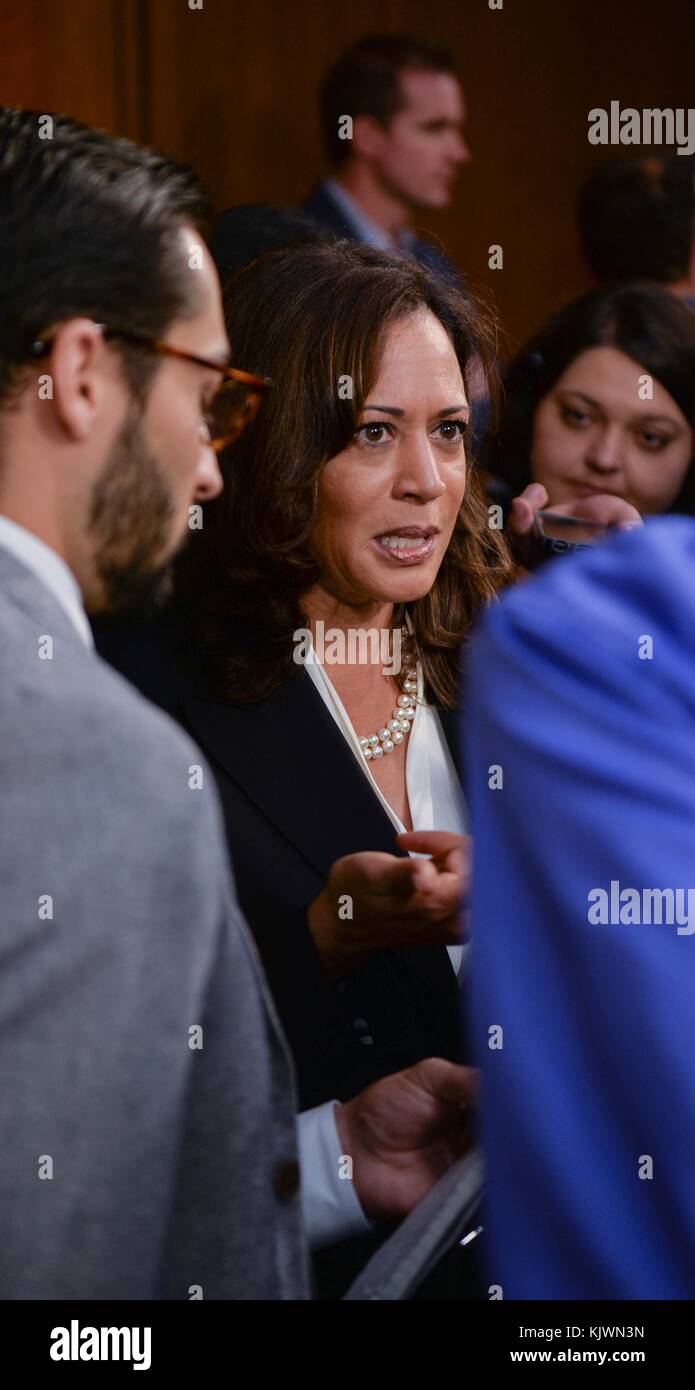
{"x": 389, "y": 502}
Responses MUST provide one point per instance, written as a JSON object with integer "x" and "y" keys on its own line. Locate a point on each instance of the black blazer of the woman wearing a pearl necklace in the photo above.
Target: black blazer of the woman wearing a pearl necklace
{"x": 295, "y": 801}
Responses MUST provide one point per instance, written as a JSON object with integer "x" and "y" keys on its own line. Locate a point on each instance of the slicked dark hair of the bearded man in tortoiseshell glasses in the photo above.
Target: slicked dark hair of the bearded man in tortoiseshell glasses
{"x": 90, "y": 226}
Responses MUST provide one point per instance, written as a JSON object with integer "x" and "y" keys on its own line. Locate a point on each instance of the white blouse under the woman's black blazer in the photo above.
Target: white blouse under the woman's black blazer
{"x": 433, "y": 786}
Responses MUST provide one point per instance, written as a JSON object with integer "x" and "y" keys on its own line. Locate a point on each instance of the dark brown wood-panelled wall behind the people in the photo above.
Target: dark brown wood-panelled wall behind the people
{"x": 231, "y": 90}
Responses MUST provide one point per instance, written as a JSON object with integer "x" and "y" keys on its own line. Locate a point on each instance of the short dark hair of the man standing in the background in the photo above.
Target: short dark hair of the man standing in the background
{"x": 366, "y": 83}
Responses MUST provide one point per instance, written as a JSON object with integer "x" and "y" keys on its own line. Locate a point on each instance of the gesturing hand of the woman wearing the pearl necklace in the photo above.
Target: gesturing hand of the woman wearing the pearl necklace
{"x": 373, "y": 901}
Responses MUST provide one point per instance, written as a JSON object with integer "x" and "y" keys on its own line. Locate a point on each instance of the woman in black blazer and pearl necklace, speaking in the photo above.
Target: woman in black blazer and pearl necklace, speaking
{"x": 316, "y": 643}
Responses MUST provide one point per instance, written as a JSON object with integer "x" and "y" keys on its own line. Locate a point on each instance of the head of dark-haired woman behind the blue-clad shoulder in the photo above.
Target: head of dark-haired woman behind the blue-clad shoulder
{"x": 603, "y": 401}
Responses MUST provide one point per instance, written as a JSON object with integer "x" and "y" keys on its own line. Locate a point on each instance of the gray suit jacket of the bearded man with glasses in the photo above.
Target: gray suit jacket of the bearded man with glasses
{"x": 133, "y": 1164}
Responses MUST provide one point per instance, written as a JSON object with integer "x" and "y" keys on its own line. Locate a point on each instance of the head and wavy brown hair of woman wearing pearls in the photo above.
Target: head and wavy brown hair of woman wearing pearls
{"x": 320, "y": 319}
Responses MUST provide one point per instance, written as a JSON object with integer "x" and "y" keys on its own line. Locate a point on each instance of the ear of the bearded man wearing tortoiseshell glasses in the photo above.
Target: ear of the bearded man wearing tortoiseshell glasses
{"x": 80, "y": 372}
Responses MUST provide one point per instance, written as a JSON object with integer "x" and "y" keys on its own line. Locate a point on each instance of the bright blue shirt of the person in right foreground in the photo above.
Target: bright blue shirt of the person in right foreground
{"x": 583, "y": 697}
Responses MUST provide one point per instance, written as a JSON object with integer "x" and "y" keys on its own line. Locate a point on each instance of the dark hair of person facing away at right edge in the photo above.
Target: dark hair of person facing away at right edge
{"x": 636, "y": 219}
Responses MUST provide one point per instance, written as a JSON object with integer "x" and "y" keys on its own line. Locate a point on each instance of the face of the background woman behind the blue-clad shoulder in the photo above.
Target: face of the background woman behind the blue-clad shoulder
{"x": 593, "y": 433}
